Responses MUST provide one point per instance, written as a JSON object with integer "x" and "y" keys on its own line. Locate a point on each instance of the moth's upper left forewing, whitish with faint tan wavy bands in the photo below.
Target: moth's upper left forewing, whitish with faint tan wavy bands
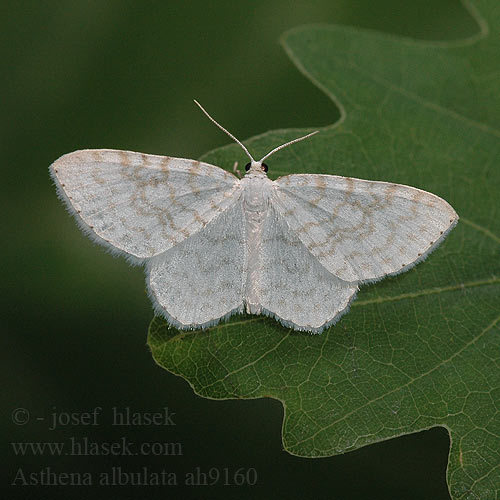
{"x": 141, "y": 204}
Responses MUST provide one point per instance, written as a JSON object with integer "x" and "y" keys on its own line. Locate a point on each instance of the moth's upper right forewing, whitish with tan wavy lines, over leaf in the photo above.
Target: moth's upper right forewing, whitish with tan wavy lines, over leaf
{"x": 362, "y": 230}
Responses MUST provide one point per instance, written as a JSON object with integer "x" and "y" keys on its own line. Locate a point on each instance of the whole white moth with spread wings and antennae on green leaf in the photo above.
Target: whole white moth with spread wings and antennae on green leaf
{"x": 212, "y": 244}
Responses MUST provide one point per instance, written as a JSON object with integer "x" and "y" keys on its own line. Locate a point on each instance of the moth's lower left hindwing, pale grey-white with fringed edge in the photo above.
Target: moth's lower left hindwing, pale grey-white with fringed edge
{"x": 201, "y": 280}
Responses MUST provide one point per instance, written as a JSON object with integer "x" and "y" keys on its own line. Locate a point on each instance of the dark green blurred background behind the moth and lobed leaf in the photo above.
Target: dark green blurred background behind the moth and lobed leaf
{"x": 122, "y": 74}
